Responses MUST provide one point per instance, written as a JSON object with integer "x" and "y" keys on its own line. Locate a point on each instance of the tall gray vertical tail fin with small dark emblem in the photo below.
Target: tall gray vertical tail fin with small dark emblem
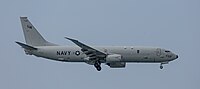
{"x": 32, "y": 36}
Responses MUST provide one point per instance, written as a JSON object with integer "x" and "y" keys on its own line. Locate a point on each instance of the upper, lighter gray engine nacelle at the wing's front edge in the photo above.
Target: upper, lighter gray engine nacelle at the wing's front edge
{"x": 113, "y": 58}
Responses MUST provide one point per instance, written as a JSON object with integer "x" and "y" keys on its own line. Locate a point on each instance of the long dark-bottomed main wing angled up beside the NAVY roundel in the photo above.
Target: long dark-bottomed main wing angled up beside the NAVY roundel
{"x": 92, "y": 53}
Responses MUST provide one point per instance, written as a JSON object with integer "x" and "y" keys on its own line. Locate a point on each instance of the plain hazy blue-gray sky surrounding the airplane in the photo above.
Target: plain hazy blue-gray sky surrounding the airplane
{"x": 170, "y": 24}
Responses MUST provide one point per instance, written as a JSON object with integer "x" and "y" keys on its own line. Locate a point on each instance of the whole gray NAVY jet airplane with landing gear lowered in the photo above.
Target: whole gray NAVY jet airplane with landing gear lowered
{"x": 113, "y": 56}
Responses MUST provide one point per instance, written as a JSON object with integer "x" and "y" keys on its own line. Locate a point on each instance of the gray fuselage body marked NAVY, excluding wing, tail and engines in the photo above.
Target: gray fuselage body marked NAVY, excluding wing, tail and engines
{"x": 128, "y": 53}
